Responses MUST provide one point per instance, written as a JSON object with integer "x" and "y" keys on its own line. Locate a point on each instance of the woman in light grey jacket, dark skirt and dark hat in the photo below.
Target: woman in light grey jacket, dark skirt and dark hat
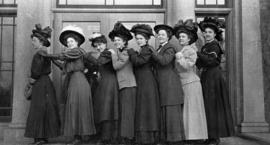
{"x": 126, "y": 80}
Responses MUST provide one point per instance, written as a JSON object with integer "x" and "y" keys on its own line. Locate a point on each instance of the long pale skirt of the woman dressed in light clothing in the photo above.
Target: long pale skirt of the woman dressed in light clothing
{"x": 195, "y": 125}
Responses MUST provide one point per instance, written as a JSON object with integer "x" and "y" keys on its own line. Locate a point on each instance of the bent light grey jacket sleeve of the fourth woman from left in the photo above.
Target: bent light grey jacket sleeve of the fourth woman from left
{"x": 119, "y": 61}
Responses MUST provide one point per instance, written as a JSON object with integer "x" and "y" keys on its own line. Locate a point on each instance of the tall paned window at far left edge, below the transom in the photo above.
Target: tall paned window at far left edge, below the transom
{"x": 7, "y": 33}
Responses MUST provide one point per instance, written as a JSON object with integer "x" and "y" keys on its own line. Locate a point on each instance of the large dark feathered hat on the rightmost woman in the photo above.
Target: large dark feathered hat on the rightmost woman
{"x": 214, "y": 24}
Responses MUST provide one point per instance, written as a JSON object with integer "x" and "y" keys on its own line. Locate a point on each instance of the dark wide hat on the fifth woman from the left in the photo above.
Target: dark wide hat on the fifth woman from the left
{"x": 142, "y": 28}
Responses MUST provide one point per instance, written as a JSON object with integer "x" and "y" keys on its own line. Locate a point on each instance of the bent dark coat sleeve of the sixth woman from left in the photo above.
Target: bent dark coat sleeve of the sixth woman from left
{"x": 166, "y": 58}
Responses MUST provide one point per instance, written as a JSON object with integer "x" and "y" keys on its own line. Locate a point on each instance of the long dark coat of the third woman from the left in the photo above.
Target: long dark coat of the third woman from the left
{"x": 106, "y": 96}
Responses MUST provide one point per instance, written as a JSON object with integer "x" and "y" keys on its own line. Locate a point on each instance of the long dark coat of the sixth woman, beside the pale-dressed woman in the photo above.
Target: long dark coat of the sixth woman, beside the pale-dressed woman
{"x": 170, "y": 87}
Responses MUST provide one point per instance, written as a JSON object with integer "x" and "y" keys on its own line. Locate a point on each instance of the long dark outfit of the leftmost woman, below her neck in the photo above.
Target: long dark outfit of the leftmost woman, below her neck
{"x": 43, "y": 119}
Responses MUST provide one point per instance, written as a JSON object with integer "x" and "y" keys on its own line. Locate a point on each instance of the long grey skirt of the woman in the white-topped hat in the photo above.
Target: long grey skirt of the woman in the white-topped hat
{"x": 79, "y": 118}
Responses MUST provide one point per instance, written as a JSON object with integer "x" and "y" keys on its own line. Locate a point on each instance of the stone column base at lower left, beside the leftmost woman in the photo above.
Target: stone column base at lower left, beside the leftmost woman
{"x": 15, "y": 134}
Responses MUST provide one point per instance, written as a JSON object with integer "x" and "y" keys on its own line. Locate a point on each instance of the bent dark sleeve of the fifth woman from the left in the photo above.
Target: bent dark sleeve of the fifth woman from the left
{"x": 139, "y": 59}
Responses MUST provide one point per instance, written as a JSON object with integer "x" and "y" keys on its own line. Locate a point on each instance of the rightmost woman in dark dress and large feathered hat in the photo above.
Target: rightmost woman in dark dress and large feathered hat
{"x": 216, "y": 99}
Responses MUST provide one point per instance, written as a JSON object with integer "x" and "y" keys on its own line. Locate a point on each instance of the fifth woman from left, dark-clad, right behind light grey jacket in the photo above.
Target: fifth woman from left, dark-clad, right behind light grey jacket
{"x": 147, "y": 98}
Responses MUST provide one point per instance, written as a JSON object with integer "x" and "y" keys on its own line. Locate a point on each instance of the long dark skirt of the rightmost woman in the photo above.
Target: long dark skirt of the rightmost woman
{"x": 217, "y": 104}
